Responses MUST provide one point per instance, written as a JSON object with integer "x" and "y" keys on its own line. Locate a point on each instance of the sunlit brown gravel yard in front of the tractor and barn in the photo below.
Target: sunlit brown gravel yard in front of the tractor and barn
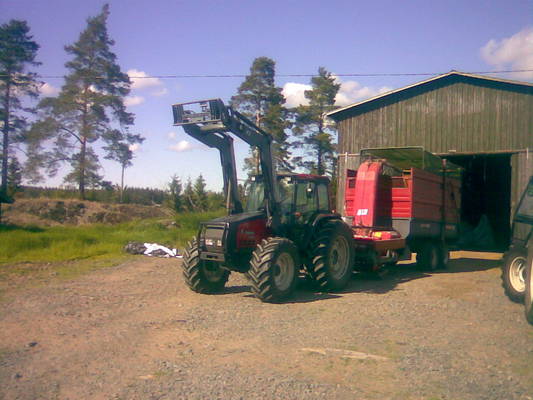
{"x": 136, "y": 332}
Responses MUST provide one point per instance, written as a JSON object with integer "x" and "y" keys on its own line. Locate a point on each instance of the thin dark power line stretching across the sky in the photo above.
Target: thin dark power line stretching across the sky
{"x": 349, "y": 75}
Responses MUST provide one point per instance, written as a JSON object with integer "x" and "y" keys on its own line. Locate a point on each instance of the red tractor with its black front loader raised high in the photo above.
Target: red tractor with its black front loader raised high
{"x": 286, "y": 225}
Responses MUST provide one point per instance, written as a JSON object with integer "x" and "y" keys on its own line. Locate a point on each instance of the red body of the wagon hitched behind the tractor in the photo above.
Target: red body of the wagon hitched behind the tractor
{"x": 394, "y": 211}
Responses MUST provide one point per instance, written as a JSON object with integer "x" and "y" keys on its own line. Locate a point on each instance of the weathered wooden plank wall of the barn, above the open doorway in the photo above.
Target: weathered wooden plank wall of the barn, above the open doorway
{"x": 453, "y": 114}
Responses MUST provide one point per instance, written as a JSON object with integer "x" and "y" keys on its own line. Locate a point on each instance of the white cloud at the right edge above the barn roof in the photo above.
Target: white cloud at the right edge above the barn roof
{"x": 515, "y": 52}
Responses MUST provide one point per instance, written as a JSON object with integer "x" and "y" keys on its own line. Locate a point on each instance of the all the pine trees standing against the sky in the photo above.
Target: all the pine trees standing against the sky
{"x": 89, "y": 109}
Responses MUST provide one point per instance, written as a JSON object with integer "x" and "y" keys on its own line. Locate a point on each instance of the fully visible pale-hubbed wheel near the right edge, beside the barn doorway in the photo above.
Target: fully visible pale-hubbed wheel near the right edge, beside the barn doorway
{"x": 513, "y": 274}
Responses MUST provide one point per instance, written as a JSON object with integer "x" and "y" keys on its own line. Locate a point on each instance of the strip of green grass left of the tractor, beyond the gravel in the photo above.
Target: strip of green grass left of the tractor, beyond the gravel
{"x": 65, "y": 243}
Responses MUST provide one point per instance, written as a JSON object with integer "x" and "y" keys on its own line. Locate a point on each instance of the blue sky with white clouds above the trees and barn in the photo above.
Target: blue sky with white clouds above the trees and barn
{"x": 195, "y": 37}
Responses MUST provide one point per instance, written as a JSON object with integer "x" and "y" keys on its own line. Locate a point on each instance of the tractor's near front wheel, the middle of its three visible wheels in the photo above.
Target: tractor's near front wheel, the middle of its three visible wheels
{"x": 274, "y": 269}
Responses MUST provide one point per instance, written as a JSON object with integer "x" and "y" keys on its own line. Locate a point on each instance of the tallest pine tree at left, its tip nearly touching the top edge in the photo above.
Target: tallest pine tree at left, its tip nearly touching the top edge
{"x": 89, "y": 106}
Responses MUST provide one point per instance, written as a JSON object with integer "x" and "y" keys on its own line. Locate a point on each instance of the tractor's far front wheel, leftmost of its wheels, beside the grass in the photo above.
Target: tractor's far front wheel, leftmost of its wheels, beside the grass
{"x": 202, "y": 276}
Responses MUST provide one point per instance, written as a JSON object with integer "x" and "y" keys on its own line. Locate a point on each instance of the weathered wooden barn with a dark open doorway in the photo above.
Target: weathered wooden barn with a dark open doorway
{"x": 483, "y": 124}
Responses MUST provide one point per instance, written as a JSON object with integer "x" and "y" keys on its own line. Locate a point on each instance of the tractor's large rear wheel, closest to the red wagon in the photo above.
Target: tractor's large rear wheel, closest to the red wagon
{"x": 332, "y": 261}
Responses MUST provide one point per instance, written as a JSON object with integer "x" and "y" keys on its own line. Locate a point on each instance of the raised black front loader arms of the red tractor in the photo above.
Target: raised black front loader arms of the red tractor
{"x": 210, "y": 124}
